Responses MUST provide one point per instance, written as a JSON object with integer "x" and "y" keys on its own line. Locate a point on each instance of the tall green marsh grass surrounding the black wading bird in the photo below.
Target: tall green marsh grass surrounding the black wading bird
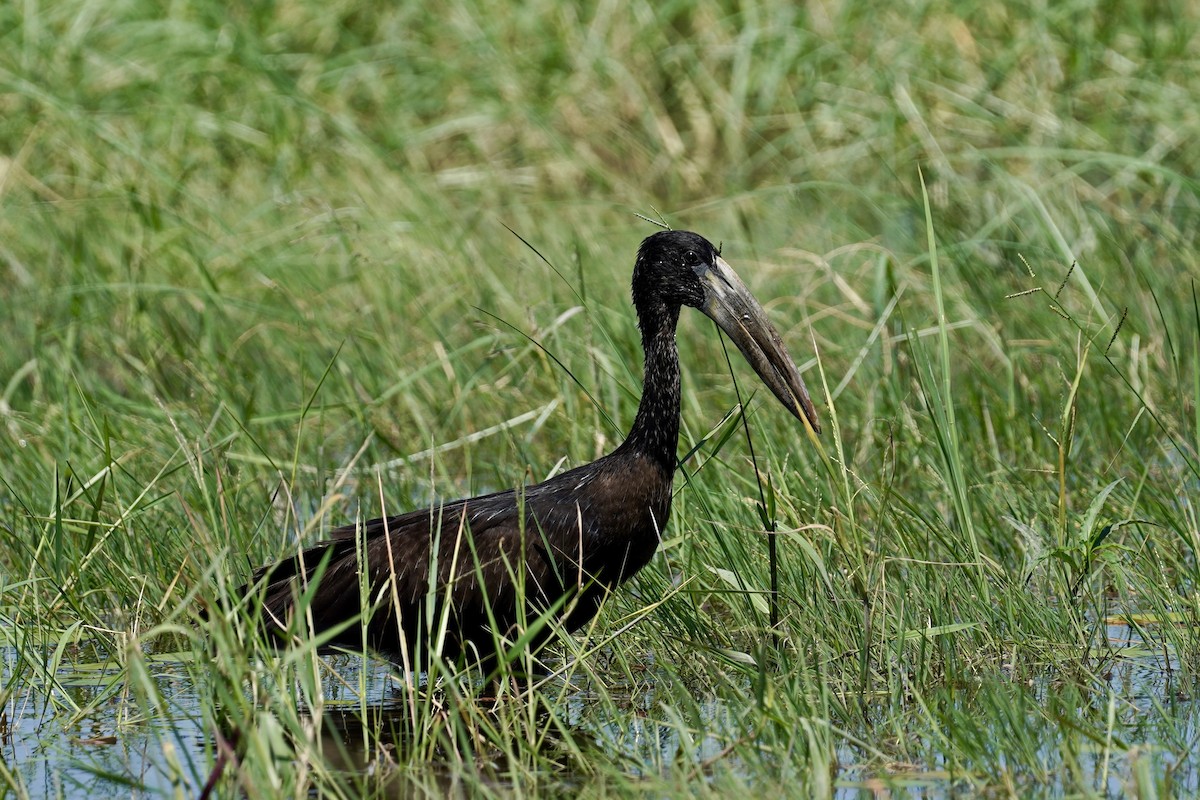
{"x": 257, "y": 282}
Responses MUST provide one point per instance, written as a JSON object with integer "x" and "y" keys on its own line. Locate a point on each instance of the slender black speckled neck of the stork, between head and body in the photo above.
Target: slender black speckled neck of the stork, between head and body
{"x": 656, "y": 432}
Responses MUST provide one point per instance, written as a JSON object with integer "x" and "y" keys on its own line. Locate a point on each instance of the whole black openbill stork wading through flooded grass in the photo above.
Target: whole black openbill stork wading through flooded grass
{"x": 454, "y": 576}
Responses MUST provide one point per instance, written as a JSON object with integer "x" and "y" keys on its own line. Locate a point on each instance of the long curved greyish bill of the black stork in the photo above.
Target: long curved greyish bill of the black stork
{"x": 730, "y": 305}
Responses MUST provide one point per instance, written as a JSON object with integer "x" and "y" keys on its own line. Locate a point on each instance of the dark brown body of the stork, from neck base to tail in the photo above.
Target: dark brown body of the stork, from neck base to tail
{"x": 475, "y": 567}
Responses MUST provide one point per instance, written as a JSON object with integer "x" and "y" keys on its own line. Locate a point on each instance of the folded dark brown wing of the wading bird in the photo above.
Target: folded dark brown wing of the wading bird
{"x": 483, "y": 560}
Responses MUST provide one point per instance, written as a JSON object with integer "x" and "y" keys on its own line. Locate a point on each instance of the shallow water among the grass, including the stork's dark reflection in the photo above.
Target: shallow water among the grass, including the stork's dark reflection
{"x": 1130, "y": 713}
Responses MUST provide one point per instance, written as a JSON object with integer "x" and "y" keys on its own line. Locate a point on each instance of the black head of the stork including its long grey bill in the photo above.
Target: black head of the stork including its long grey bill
{"x": 679, "y": 268}
